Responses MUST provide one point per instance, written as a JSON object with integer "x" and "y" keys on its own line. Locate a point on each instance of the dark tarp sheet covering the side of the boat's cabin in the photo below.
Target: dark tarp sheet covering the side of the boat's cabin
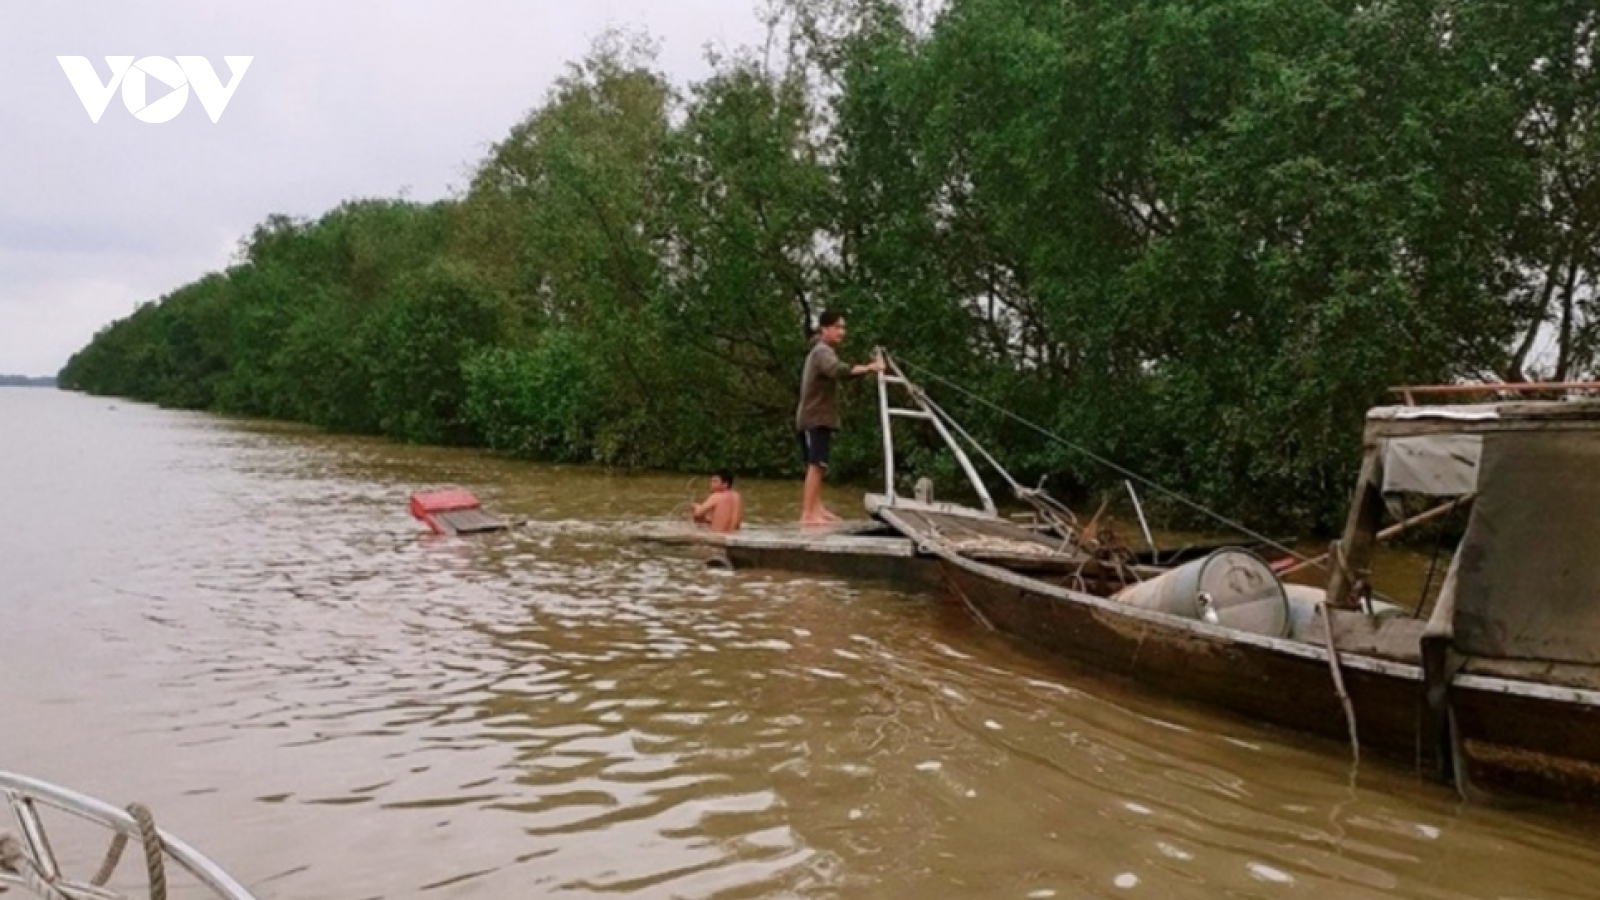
{"x": 1529, "y": 582}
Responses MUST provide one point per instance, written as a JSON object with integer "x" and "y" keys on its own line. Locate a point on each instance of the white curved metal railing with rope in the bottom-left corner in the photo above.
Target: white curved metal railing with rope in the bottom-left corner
{"x": 30, "y": 862}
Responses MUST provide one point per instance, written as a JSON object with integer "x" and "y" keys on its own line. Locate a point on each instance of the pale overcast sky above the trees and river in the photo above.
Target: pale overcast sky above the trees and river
{"x": 343, "y": 100}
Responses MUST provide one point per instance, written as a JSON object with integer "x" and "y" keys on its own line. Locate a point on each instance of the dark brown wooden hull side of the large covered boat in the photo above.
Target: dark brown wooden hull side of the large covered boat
{"x": 1542, "y": 744}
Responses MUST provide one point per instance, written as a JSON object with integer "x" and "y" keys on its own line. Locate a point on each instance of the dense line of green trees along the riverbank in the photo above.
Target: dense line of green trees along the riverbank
{"x": 1194, "y": 236}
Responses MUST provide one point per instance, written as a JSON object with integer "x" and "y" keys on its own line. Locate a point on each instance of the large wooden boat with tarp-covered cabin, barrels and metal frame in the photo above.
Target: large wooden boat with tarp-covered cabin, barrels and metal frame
{"x": 1498, "y": 689}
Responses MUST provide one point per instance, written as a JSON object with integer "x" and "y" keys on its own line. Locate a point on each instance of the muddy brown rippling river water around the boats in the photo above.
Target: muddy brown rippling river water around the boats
{"x": 241, "y": 627}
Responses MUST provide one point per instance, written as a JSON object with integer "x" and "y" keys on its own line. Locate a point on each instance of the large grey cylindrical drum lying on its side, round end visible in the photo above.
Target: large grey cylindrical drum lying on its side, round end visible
{"x": 1233, "y": 589}
